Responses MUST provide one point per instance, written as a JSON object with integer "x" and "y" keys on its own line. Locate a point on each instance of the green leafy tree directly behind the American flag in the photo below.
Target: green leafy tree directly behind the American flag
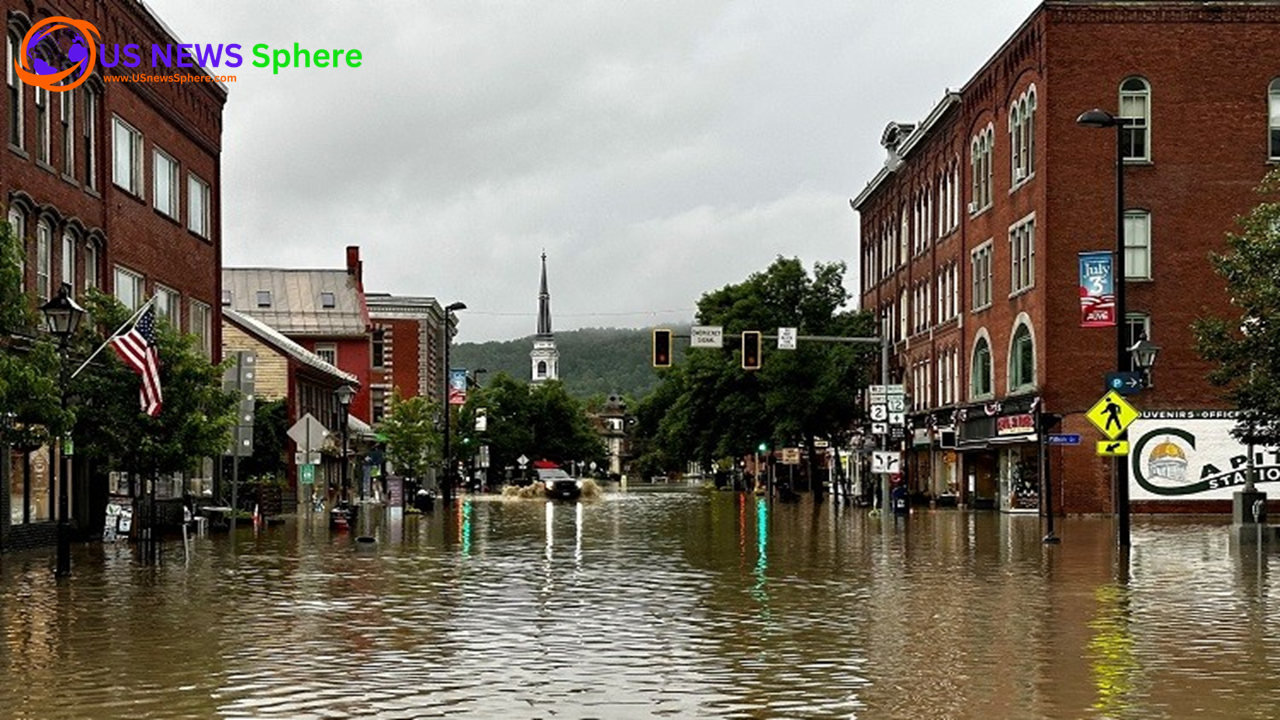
{"x": 111, "y": 427}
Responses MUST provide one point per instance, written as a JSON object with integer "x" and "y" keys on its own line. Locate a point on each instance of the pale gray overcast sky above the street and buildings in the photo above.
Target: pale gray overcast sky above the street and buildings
{"x": 656, "y": 149}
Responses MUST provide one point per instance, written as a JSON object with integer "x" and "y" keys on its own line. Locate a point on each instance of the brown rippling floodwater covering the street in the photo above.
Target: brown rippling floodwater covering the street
{"x": 652, "y": 605}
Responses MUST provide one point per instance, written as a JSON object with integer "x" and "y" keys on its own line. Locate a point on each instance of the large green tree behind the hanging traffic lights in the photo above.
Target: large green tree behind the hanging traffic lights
{"x": 715, "y": 409}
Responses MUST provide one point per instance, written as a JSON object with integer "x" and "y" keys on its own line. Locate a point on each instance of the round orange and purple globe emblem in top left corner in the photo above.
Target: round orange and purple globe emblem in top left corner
{"x": 58, "y": 54}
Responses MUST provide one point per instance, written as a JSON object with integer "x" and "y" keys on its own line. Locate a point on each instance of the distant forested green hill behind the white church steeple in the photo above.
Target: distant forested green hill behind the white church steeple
{"x": 595, "y": 361}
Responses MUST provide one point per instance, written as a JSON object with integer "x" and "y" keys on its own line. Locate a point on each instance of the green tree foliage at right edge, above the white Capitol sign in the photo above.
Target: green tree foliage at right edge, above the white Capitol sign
{"x": 1246, "y": 348}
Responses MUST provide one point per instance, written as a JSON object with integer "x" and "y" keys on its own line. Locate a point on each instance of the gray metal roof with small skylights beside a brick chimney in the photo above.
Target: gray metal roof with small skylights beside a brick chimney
{"x": 296, "y": 307}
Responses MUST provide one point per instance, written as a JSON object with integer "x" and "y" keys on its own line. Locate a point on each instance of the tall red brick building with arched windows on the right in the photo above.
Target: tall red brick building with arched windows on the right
{"x": 971, "y": 235}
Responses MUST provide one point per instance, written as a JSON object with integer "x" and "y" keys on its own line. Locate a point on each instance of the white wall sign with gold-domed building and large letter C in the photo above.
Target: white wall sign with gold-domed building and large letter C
{"x": 1191, "y": 455}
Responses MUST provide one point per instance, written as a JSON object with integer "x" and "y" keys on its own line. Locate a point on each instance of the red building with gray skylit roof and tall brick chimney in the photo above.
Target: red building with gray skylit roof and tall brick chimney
{"x": 323, "y": 311}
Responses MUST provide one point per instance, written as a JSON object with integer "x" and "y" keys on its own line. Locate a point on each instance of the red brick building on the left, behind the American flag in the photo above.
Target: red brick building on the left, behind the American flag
{"x": 111, "y": 185}
